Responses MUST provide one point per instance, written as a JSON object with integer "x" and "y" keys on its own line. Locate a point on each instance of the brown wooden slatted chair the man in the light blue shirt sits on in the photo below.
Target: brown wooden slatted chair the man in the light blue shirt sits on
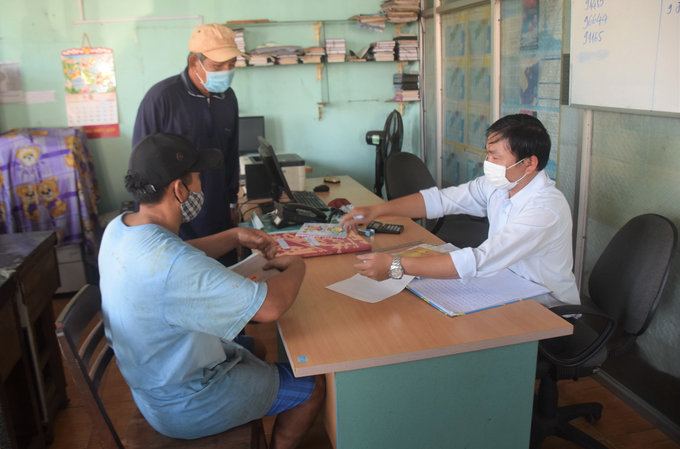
{"x": 80, "y": 325}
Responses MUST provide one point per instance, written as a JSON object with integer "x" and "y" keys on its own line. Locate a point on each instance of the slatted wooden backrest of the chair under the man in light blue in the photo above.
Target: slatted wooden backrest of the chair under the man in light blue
{"x": 80, "y": 332}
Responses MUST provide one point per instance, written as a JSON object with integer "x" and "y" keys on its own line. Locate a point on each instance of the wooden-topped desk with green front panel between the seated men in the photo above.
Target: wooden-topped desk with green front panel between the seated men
{"x": 402, "y": 375}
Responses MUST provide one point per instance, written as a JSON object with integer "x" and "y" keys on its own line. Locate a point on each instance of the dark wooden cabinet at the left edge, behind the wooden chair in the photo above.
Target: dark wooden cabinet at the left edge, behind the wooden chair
{"x": 31, "y": 261}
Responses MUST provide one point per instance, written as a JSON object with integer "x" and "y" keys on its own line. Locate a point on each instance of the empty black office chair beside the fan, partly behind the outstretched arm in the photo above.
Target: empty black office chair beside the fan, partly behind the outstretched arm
{"x": 406, "y": 173}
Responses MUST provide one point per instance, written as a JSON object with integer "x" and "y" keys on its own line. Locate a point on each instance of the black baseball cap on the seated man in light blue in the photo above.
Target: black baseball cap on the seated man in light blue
{"x": 163, "y": 157}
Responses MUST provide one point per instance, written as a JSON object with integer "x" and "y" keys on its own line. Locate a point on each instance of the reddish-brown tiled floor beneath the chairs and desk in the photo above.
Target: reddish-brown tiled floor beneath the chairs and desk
{"x": 619, "y": 428}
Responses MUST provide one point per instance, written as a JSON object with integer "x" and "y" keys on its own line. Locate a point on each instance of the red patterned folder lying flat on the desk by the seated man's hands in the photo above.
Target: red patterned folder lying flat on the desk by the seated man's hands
{"x": 292, "y": 245}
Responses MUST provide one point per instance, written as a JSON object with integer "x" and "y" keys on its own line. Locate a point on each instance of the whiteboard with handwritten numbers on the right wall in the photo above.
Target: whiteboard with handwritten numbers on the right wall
{"x": 625, "y": 55}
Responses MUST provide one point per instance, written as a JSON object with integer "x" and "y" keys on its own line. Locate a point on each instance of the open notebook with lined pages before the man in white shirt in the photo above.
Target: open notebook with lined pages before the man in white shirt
{"x": 454, "y": 297}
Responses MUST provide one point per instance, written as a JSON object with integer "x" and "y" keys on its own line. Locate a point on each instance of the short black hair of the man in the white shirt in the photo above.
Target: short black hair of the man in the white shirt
{"x": 526, "y": 136}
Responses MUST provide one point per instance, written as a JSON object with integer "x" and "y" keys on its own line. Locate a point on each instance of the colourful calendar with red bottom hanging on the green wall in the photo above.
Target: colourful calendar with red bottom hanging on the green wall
{"x": 90, "y": 84}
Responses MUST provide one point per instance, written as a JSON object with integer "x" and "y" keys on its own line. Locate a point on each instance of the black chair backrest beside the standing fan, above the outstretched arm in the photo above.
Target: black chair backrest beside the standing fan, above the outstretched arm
{"x": 405, "y": 174}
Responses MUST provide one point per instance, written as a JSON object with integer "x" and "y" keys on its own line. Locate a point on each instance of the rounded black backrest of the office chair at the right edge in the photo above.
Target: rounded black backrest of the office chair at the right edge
{"x": 630, "y": 275}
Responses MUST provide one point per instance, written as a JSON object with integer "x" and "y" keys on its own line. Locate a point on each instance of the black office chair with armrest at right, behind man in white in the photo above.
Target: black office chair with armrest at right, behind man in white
{"x": 625, "y": 286}
